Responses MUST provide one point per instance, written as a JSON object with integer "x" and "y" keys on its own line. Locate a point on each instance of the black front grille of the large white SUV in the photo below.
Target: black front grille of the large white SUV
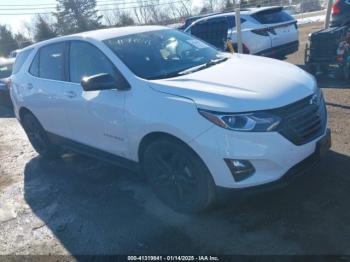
{"x": 303, "y": 121}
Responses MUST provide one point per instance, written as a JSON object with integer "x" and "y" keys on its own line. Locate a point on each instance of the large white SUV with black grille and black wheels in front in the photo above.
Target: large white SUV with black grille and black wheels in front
{"x": 193, "y": 119}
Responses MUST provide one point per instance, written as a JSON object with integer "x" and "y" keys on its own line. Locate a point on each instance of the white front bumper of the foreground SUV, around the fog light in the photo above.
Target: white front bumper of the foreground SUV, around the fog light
{"x": 273, "y": 156}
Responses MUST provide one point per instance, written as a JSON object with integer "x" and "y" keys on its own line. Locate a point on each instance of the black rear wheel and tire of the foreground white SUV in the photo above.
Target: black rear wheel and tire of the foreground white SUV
{"x": 38, "y": 137}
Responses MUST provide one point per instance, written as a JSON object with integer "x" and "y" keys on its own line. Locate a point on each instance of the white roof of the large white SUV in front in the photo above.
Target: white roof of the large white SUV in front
{"x": 101, "y": 34}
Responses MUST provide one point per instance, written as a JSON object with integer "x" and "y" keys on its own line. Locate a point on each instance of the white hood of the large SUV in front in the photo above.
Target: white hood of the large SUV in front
{"x": 242, "y": 83}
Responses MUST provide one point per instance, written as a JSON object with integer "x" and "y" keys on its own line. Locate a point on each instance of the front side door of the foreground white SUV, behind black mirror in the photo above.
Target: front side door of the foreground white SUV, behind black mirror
{"x": 96, "y": 118}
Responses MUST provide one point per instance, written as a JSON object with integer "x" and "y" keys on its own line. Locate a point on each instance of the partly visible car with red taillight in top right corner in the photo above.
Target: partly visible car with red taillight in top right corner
{"x": 340, "y": 13}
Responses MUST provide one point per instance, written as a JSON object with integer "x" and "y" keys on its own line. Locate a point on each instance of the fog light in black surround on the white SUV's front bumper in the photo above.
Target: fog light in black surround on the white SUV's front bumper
{"x": 240, "y": 169}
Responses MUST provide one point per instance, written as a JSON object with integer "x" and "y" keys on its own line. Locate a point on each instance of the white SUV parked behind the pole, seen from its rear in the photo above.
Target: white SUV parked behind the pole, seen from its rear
{"x": 266, "y": 31}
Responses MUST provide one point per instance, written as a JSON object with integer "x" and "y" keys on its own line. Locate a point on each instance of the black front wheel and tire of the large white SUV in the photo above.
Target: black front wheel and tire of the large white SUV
{"x": 178, "y": 176}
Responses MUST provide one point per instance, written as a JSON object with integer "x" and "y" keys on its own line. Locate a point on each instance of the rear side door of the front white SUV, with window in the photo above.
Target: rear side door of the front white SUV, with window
{"x": 47, "y": 88}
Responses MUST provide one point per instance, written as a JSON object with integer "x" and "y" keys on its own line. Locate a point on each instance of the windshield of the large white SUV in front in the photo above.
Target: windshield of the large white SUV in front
{"x": 162, "y": 54}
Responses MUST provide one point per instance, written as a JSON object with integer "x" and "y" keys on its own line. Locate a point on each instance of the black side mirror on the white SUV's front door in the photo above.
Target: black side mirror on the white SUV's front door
{"x": 101, "y": 82}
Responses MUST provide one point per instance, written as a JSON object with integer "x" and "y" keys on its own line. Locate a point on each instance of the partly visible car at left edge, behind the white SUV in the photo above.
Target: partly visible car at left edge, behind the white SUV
{"x": 5, "y": 73}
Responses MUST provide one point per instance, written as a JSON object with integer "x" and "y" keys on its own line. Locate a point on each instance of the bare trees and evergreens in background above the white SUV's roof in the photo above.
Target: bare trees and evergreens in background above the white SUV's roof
{"x": 74, "y": 16}
